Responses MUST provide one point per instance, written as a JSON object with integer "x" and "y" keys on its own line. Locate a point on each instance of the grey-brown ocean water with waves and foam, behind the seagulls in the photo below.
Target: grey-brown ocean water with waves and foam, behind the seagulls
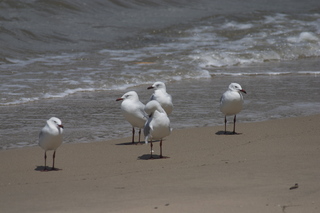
{"x": 72, "y": 59}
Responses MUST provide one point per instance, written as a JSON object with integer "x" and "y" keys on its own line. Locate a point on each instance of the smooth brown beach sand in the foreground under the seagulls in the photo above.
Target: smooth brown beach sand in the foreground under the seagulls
{"x": 205, "y": 172}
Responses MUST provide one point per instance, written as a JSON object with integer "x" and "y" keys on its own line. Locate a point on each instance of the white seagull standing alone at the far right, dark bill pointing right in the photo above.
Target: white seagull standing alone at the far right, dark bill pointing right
{"x": 231, "y": 103}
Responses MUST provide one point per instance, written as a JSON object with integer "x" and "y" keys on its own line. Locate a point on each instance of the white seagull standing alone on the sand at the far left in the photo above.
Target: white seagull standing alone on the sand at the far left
{"x": 50, "y": 138}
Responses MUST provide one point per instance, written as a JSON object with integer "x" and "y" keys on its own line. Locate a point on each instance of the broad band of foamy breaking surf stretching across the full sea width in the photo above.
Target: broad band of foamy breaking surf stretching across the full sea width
{"x": 192, "y": 53}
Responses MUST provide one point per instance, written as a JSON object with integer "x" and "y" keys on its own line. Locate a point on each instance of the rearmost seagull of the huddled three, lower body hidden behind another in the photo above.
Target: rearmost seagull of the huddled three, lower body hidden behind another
{"x": 160, "y": 94}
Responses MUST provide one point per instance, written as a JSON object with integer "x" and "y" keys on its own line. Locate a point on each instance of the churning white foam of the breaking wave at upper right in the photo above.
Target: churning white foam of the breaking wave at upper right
{"x": 271, "y": 38}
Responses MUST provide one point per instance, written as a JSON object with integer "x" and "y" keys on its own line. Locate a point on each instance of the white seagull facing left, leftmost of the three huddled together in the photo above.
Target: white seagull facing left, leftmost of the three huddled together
{"x": 133, "y": 111}
